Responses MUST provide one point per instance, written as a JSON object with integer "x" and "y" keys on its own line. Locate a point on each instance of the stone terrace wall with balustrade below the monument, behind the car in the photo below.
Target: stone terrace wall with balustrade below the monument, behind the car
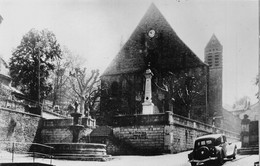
{"x": 162, "y": 133}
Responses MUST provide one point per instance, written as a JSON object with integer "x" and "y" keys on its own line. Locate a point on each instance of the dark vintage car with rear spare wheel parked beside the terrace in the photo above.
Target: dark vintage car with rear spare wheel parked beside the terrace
{"x": 211, "y": 150}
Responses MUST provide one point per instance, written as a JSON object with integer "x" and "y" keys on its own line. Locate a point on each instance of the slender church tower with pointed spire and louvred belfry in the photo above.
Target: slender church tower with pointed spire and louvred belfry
{"x": 213, "y": 57}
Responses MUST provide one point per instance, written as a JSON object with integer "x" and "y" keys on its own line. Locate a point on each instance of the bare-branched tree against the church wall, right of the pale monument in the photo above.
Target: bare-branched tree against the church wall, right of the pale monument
{"x": 186, "y": 89}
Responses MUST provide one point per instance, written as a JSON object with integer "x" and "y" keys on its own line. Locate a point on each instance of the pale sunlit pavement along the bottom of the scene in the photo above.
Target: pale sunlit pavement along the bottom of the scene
{"x": 179, "y": 159}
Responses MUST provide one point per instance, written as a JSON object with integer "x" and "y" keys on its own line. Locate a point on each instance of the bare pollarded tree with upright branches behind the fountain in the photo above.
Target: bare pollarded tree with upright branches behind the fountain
{"x": 85, "y": 87}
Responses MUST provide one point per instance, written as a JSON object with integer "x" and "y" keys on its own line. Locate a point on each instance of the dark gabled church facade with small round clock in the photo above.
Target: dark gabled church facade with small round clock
{"x": 180, "y": 83}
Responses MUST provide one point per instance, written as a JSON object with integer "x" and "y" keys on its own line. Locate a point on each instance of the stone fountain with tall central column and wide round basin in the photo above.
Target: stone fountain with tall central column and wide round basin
{"x": 76, "y": 150}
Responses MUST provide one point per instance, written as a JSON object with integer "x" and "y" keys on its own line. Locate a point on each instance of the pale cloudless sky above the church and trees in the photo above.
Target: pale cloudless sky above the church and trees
{"x": 95, "y": 29}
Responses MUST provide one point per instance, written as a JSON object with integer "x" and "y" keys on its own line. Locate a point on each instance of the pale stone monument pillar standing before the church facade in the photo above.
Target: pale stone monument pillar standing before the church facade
{"x": 147, "y": 104}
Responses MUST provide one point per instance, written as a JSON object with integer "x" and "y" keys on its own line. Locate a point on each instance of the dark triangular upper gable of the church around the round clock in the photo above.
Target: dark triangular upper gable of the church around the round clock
{"x": 170, "y": 50}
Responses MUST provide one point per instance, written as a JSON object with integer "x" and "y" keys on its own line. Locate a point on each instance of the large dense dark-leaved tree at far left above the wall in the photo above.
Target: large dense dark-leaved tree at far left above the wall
{"x": 34, "y": 57}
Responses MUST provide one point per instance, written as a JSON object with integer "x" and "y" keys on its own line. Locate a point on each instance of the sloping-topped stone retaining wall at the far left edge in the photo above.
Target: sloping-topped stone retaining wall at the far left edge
{"x": 19, "y": 127}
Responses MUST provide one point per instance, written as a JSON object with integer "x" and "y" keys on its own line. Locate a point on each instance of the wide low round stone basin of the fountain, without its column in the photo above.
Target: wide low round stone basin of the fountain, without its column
{"x": 80, "y": 151}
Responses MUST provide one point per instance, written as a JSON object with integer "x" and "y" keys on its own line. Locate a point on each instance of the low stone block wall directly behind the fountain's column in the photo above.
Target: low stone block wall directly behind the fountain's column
{"x": 58, "y": 130}
